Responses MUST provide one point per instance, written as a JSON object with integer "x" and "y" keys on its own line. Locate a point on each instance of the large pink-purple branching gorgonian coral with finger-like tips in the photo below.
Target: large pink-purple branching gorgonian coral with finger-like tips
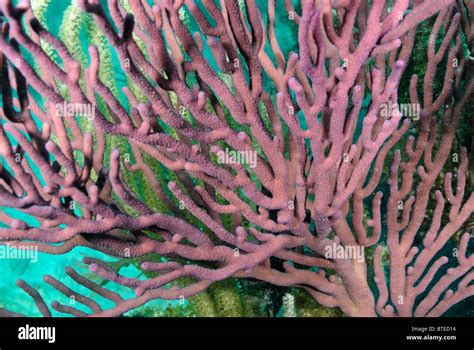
{"x": 222, "y": 156}
